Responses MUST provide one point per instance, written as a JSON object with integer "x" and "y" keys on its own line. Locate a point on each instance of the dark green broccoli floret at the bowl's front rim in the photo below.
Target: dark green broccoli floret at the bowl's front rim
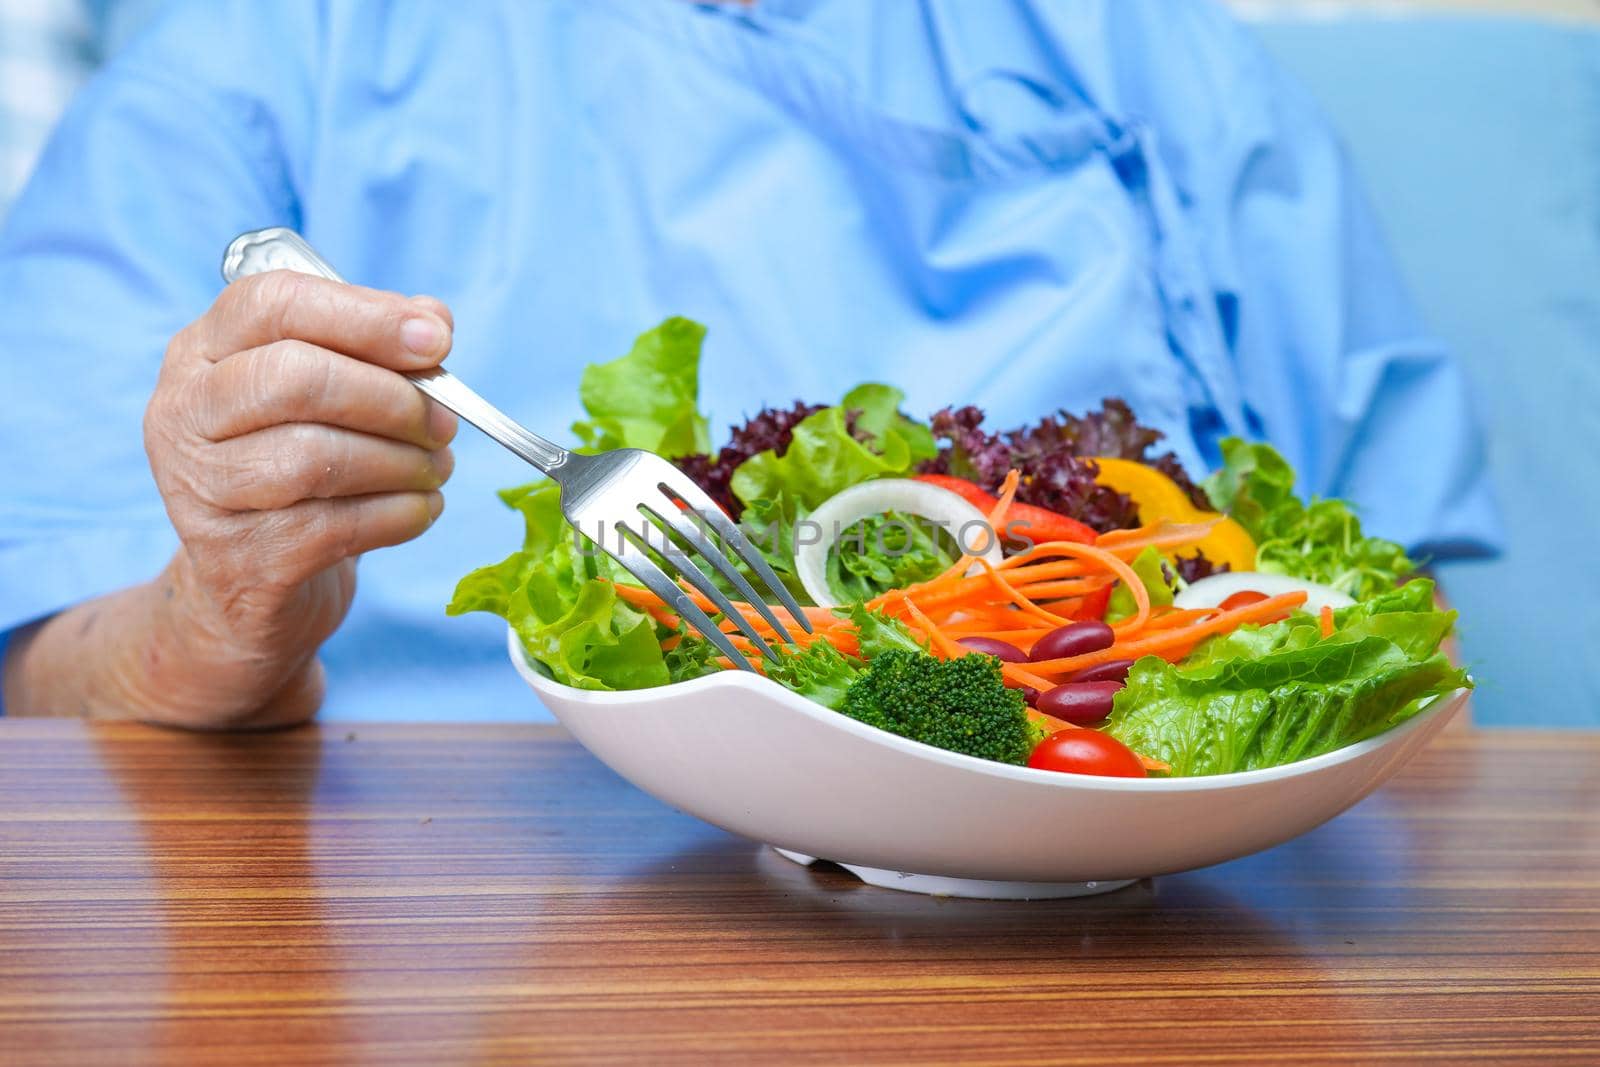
{"x": 959, "y": 705}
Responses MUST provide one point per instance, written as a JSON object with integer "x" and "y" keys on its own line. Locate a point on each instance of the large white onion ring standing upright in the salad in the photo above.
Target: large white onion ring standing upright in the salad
{"x": 842, "y": 511}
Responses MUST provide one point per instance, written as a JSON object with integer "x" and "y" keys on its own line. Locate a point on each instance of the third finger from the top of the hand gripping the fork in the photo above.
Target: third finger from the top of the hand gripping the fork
{"x": 302, "y": 462}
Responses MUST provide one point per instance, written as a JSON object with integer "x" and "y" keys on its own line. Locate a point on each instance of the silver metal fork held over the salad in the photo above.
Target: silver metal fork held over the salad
{"x": 634, "y": 494}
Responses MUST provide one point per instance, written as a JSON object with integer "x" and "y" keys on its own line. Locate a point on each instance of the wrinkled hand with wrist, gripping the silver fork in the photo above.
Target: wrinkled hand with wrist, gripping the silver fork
{"x": 286, "y": 444}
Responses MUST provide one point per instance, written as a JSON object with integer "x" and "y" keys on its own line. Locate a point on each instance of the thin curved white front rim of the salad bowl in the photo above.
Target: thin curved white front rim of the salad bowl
{"x": 767, "y": 689}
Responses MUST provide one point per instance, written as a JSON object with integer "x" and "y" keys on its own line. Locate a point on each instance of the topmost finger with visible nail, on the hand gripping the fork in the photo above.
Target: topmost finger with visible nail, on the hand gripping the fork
{"x": 370, "y": 326}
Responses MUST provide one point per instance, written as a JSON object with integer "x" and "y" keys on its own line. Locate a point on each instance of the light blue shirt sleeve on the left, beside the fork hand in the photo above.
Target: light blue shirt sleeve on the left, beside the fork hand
{"x": 110, "y": 252}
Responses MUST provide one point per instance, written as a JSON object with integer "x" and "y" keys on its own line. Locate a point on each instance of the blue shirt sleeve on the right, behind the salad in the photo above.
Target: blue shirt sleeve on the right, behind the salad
{"x": 1334, "y": 364}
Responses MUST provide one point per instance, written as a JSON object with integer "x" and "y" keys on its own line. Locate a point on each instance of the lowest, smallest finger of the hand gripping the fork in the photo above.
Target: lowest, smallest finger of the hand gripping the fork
{"x": 295, "y": 543}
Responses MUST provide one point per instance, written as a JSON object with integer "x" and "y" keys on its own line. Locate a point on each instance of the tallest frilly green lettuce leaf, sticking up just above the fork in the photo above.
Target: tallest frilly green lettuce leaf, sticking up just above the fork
{"x": 649, "y": 399}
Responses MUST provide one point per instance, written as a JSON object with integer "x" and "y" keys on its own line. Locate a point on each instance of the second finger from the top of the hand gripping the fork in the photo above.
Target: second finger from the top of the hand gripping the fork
{"x": 294, "y": 382}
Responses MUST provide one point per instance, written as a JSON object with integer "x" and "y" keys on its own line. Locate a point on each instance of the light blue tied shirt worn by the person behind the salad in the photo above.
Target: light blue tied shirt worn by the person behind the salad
{"x": 1017, "y": 206}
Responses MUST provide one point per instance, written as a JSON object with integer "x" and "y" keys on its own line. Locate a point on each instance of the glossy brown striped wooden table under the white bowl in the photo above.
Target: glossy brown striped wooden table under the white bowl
{"x": 465, "y": 893}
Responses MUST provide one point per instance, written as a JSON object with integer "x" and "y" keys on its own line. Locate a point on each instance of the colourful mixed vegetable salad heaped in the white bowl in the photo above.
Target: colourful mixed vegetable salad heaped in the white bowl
{"x": 1058, "y": 596}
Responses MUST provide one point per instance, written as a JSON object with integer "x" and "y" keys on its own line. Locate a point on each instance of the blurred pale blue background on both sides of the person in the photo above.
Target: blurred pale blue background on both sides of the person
{"x": 1478, "y": 129}
